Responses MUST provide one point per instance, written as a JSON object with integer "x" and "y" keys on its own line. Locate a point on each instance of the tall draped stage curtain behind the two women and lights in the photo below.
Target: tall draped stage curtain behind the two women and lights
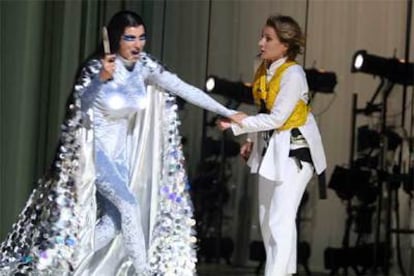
{"x": 43, "y": 42}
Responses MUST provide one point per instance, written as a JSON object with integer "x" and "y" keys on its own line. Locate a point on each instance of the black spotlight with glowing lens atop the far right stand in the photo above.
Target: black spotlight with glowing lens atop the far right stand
{"x": 395, "y": 70}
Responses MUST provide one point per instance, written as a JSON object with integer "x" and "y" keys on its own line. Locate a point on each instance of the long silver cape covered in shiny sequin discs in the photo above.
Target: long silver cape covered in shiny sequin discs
{"x": 54, "y": 232}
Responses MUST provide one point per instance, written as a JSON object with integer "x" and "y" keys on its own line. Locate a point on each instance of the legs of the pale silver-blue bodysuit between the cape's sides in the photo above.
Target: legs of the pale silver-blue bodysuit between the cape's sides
{"x": 120, "y": 212}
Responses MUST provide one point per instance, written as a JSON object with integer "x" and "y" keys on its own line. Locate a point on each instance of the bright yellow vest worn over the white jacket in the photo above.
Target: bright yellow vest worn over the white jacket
{"x": 268, "y": 91}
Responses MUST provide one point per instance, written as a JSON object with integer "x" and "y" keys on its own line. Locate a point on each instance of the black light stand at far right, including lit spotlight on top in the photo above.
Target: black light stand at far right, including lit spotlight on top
{"x": 391, "y": 71}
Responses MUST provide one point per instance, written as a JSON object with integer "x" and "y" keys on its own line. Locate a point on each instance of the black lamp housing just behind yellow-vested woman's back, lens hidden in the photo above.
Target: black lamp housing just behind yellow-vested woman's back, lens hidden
{"x": 320, "y": 80}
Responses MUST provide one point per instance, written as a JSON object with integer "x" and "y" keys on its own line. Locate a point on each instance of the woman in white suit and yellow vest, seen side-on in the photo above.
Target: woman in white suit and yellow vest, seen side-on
{"x": 284, "y": 144}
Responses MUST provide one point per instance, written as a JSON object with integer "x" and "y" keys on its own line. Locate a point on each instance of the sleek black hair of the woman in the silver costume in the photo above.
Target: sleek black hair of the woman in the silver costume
{"x": 117, "y": 25}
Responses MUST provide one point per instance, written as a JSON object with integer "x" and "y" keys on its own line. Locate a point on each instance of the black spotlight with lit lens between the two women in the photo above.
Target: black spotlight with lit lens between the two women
{"x": 235, "y": 90}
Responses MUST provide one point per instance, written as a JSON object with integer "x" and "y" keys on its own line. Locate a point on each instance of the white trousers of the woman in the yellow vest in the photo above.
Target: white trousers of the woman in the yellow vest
{"x": 278, "y": 205}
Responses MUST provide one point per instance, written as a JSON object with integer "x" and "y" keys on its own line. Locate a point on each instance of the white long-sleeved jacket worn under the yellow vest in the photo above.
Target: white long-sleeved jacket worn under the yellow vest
{"x": 272, "y": 165}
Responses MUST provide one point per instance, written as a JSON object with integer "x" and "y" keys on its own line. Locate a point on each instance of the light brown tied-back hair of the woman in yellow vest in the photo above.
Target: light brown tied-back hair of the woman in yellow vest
{"x": 289, "y": 32}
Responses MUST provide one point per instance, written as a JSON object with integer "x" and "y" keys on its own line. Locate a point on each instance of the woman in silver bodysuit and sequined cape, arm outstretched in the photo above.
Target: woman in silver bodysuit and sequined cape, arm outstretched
{"x": 110, "y": 138}
